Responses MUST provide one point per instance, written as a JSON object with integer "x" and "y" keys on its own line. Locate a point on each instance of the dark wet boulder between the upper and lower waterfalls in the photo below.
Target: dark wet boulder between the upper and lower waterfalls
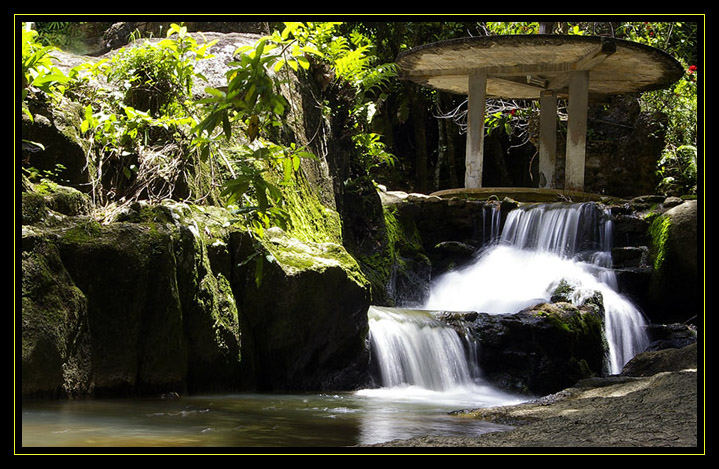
{"x": 541, "y": 349}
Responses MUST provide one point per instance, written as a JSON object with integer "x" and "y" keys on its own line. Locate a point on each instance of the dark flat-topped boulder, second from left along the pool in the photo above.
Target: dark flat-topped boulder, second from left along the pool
{"x": 127, "y": 273}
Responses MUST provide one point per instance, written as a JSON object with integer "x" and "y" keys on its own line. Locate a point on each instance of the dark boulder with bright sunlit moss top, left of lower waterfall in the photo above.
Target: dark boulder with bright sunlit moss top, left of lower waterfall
{"x": 307, "y": 314}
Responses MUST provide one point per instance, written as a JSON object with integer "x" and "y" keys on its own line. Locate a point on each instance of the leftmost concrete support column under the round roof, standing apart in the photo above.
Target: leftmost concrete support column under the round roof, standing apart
{"x": 475, "y": 130}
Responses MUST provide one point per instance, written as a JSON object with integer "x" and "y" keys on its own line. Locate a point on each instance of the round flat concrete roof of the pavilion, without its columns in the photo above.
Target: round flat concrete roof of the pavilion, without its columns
{"x": 522, "y": 66}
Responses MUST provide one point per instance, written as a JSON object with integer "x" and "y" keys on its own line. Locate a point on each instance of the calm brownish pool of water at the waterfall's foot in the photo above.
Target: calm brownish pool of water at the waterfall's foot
{"x": 254, "y": 420}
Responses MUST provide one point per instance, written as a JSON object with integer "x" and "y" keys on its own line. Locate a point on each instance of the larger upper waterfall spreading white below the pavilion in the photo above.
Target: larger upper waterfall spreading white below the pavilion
{"x": 539, "y": 246}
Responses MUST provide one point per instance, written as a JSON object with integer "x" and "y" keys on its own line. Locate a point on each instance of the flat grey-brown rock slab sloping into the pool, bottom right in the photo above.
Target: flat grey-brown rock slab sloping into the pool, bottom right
{"x": 653, "y": 403}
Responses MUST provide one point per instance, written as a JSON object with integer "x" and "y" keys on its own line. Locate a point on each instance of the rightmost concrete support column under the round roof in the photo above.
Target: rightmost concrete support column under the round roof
{"x": 576, "y": 130}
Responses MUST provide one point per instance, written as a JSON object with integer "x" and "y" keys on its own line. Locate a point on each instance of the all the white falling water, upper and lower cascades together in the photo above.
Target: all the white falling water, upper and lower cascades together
{"x": 422, "y": 360}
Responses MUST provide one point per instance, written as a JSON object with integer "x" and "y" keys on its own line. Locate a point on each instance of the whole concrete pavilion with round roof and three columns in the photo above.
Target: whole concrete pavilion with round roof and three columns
{"x": 544, "y": 67}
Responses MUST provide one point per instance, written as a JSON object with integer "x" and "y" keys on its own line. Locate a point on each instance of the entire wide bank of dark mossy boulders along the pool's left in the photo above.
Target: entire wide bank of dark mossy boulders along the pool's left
{"x": 162, "y": 299}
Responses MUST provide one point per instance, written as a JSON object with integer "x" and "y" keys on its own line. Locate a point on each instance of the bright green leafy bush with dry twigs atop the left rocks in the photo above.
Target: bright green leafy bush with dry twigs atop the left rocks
{"x": 138, "y": 127}
